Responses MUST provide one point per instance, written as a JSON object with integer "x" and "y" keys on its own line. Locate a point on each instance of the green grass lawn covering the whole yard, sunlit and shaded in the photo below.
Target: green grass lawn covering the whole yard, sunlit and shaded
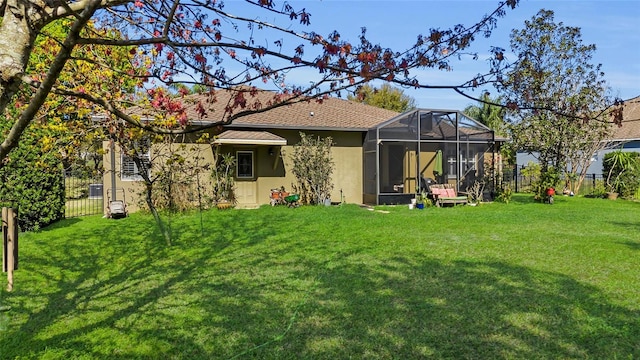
{"x": 523, "y": 280}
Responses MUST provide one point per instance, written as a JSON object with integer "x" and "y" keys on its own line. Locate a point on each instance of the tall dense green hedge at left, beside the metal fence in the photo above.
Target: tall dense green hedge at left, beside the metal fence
{"x": 32, "y": 179}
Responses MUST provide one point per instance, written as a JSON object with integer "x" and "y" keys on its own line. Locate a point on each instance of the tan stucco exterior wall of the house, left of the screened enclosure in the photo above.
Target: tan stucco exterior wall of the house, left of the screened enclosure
{"x": 270, "y": 170}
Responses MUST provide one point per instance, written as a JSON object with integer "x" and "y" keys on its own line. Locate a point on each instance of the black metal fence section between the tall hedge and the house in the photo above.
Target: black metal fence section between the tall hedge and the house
{"x": 84, "y": 193}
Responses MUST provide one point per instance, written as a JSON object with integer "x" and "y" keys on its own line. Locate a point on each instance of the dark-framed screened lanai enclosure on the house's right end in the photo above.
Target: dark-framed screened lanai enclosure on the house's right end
{"x": 421, "y": 146}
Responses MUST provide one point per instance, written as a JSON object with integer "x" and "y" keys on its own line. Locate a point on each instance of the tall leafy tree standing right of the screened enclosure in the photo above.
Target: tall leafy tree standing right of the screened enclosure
{"x": 560, "y": 96}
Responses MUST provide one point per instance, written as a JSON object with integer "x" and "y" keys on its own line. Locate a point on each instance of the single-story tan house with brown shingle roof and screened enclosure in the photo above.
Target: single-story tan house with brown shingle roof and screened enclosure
{"x": 380, "y": 156}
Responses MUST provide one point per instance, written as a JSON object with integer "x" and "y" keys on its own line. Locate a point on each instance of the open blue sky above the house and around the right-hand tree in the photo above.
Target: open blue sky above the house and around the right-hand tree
{"x": 612, "y": 25}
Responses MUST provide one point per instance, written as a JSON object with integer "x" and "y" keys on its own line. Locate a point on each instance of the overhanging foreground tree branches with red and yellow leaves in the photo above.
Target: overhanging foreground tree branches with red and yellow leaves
{"x": 198, "y": 43}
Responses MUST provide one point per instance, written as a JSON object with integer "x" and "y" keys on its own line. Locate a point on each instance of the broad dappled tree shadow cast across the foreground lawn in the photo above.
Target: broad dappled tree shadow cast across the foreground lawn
{"x": 254, "y": 288}
